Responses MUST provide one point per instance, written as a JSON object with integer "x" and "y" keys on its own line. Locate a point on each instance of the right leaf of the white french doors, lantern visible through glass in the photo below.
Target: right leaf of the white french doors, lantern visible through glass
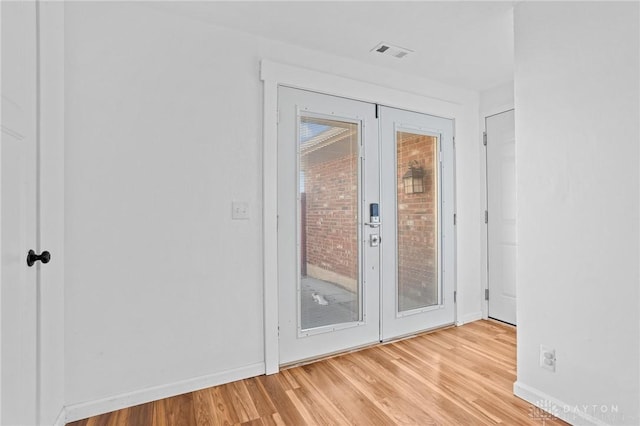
{"x": 417, "y": 213}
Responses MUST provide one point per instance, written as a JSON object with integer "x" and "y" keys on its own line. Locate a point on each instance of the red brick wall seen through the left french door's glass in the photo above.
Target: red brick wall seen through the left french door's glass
{"x": 331, "y": 192}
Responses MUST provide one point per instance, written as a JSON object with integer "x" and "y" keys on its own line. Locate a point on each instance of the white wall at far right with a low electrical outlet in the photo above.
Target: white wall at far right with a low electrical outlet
{"x": 576, "y": 98}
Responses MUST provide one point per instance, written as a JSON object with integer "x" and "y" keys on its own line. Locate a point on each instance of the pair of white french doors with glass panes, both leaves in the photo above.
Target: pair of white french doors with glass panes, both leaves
{"x": 365, "y": 247}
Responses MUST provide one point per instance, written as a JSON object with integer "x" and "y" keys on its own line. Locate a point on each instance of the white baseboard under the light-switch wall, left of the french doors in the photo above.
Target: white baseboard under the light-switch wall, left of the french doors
{"x": 93, "y": 408}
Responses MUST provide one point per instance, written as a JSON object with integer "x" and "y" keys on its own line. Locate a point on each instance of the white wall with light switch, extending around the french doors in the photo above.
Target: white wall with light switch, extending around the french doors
{"x": 163, "y": 130}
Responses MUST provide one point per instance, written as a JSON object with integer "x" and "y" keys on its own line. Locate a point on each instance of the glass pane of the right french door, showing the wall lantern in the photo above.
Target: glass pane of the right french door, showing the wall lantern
{"x": 417, "y": 221}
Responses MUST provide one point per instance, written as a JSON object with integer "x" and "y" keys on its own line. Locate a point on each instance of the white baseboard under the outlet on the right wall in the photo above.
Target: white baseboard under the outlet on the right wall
{"x": 572, "y": 414}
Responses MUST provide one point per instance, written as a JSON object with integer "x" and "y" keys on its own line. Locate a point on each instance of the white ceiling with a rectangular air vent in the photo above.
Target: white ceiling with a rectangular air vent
{"x": 465, "y": 44}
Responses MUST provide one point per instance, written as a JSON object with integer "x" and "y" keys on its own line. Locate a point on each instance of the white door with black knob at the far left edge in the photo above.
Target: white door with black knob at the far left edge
{"x": 18, "y": 215}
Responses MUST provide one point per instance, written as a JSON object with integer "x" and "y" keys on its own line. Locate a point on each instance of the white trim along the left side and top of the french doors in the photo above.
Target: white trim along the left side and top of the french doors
{"x": 273, "y": 74}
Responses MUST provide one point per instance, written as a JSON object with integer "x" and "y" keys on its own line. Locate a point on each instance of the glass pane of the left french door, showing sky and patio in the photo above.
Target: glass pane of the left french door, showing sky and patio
{"x": 328, "y": 203}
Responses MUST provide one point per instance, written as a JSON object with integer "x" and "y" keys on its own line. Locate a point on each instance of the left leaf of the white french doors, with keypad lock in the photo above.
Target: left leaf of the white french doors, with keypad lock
{"x": 328, "y": 266}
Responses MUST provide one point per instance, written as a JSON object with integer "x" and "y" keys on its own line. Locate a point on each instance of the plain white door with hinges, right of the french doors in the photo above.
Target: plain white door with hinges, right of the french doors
{"x": 501, "y": 223}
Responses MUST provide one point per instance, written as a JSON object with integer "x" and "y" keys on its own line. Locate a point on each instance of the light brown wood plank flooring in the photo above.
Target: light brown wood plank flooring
{"x": 458, "y": 376}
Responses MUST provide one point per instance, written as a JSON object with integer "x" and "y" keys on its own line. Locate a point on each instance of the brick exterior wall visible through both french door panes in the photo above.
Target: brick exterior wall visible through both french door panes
{"x": 330, "y": 247}
